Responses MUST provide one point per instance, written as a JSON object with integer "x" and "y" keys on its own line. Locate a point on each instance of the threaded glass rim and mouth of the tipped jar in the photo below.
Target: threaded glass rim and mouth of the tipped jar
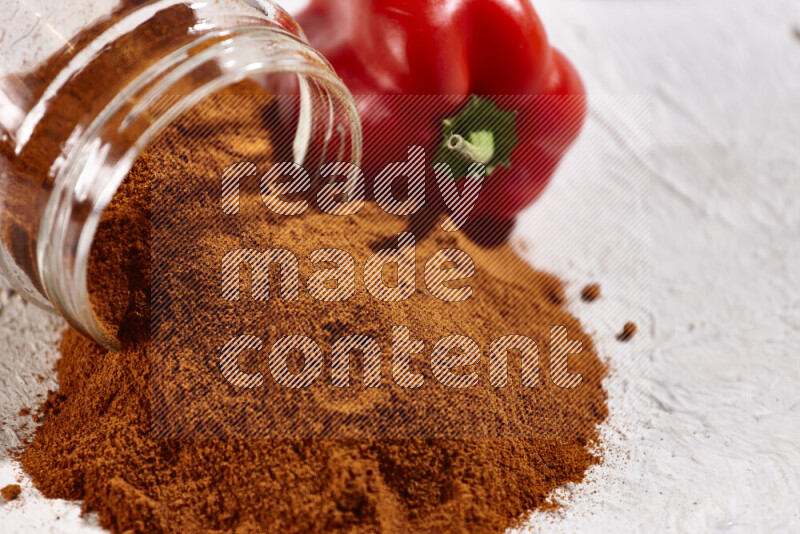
{"x": 317, "y": 118}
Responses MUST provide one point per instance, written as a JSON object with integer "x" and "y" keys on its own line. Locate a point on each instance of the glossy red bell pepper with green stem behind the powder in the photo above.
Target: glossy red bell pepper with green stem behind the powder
{"x": 493, "y": 49}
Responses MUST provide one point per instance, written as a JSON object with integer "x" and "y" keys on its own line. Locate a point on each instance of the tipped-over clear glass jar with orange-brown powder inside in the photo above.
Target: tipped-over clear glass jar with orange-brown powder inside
{"x": 77, "y": 92}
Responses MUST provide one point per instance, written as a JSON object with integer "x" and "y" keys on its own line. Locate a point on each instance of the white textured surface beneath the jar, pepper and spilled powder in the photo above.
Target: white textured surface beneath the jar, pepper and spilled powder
{"x": 705, "y": 429}
